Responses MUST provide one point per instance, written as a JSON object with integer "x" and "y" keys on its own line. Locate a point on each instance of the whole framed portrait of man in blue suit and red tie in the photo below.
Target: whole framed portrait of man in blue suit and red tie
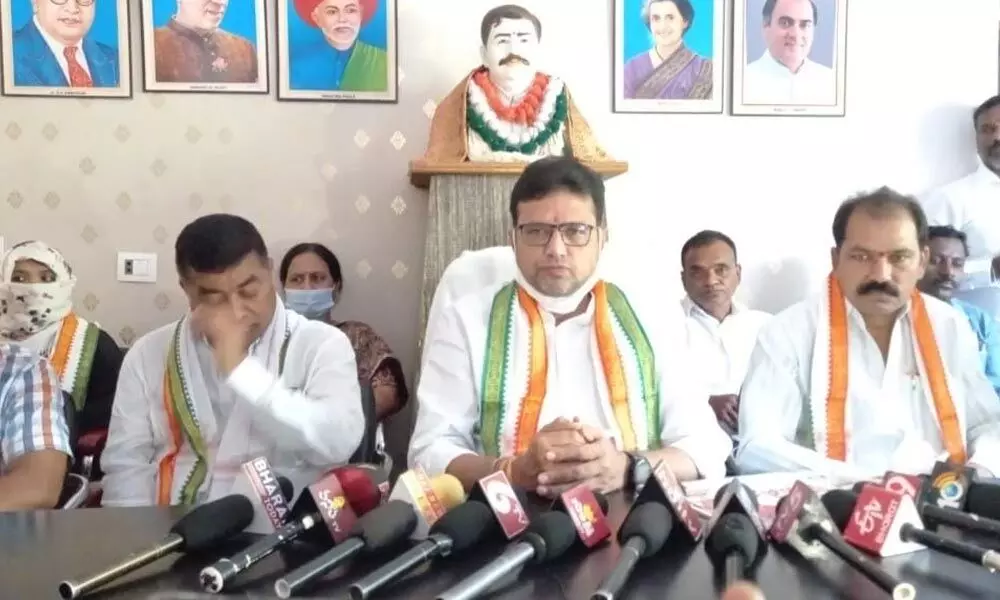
{"x": 66, "y": 48}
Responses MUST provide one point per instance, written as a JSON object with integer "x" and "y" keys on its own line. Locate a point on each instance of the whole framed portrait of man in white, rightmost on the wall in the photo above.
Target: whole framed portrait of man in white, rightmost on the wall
{"x": 789, "y": 57}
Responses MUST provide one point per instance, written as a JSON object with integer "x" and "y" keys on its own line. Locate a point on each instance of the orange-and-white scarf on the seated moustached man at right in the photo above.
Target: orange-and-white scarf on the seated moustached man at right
{"x": 824, "y": 428}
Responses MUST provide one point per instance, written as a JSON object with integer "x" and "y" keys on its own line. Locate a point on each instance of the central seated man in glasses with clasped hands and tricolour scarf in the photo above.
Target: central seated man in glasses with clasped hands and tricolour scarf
{"x": 552, "y": 378}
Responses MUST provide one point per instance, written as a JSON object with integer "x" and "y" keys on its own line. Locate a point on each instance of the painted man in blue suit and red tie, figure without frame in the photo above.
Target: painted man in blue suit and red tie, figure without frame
{"x": 53, "y": 50}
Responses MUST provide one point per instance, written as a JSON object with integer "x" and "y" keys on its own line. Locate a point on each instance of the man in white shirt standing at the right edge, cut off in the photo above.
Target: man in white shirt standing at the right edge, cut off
{"x": 972, "y": 203}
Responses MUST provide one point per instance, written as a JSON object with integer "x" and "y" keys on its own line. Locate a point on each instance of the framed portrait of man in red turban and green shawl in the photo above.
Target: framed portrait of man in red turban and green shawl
{"x": 337, "y": 50}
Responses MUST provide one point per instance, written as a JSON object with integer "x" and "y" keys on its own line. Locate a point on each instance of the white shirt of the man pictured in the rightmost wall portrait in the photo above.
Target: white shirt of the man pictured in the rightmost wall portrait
{"x": 767, "y": 81}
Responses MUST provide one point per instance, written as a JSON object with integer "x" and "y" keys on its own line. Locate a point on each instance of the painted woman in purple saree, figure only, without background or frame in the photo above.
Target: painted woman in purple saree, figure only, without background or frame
{"x": 669, "y": 70}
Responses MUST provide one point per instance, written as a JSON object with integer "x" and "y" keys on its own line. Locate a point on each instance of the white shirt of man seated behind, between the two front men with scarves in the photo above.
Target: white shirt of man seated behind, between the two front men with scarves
{"x": 722, "y": 349}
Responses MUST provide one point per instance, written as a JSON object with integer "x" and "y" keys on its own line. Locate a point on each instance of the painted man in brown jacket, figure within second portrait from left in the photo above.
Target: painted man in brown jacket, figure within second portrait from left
{"x": 191, "y": 48}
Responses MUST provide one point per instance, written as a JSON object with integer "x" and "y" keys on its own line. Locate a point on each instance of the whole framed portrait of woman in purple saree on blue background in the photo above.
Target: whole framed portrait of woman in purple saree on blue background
{"x": 669, "y": 56}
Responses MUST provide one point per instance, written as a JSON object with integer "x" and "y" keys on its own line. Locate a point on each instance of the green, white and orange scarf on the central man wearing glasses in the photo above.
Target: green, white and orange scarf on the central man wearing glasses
{"x": 511, "y": 396}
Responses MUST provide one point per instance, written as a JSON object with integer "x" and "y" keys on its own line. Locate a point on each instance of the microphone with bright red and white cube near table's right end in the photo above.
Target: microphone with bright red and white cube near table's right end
{"x": 887, "y": 524}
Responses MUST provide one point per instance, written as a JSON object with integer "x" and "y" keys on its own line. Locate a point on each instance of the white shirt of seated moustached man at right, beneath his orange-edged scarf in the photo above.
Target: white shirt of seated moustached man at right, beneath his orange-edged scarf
{"x": 890, "y": 423}
